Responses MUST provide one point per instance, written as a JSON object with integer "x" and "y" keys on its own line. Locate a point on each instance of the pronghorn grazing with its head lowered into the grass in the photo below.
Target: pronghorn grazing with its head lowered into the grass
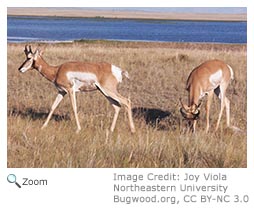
{"x": 210, "y": 77}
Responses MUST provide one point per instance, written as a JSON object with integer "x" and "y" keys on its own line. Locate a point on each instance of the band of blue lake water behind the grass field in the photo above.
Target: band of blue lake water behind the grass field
{"x": 27, "y": 29}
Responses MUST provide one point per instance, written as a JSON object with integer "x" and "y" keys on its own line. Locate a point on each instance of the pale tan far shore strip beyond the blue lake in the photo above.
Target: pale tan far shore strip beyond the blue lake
{"x": 114, "y": 14}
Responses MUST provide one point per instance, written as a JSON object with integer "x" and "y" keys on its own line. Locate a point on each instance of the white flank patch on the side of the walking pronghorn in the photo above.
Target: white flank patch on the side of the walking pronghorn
{"x": 81, "y": 79}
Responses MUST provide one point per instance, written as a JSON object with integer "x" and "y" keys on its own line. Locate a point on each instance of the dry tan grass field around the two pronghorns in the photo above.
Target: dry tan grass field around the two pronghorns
{"x": 158, "y": 72}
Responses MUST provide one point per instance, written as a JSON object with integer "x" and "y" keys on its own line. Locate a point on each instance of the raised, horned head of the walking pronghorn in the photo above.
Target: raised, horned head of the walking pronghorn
{"x": 30, "y": 59}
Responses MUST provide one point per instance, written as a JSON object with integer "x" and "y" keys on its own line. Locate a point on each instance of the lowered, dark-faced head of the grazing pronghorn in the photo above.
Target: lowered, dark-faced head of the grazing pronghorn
{"x": 190, "y": 112}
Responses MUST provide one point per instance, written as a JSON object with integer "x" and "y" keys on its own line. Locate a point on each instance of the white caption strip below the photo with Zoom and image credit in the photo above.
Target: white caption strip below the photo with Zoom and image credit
{"x": 130, "y": 189}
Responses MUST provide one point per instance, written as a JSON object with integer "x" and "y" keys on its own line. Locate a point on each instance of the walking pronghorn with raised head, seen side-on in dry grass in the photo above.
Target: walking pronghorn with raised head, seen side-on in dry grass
{"x": 72, "y": 77}
